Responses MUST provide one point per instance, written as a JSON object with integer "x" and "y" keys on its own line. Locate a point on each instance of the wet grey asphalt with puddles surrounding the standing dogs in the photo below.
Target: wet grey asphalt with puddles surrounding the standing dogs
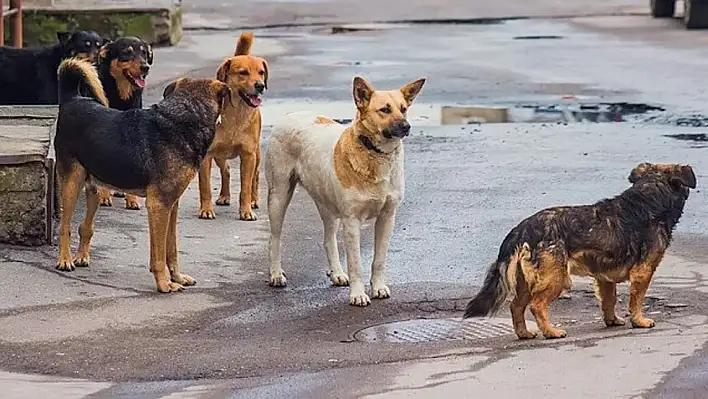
{"x": 103, "y": 332}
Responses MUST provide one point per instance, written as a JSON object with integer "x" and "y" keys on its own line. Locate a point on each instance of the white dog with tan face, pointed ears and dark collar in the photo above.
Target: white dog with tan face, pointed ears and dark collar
{"x": 352, "y": 173}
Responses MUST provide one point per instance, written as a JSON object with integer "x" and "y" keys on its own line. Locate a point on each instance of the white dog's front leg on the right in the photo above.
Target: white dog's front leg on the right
{"x": 382, "y": 236}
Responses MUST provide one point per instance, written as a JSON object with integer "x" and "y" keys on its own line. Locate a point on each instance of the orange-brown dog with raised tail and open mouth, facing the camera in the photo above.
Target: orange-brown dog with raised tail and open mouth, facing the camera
{"x": 240, "y": 133}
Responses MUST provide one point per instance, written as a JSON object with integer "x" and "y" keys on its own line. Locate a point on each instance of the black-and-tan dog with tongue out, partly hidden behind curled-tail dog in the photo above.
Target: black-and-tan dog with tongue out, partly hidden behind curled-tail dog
{"x": 123, "y": 66}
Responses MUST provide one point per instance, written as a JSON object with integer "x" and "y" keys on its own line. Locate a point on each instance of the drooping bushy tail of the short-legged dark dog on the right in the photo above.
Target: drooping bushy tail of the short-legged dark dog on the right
{"x": 500, "y": 283}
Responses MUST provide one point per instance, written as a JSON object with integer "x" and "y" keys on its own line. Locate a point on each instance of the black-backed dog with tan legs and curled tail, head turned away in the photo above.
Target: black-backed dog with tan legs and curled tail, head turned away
{"x": 153, "y": 153}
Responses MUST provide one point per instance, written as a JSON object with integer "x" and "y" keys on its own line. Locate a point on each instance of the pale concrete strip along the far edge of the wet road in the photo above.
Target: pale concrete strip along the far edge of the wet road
{"x": 217, "y": 14}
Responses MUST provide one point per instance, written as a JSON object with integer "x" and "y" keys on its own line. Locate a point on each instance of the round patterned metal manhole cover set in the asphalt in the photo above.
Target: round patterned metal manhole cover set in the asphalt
{"x": 429, "y": 330}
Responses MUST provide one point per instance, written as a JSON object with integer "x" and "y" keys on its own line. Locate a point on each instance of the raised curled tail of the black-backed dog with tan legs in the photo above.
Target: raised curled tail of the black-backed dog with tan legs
{"x": 74, "y": 73}
